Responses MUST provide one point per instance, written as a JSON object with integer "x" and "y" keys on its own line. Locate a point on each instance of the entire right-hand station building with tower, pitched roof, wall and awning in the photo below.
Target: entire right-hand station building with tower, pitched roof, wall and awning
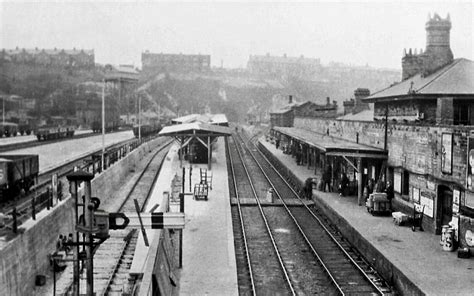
{"x": 423, "y": 124}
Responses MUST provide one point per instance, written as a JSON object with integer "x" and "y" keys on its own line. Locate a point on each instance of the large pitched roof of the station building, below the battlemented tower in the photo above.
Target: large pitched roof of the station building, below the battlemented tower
{"x": 456, "y": 78}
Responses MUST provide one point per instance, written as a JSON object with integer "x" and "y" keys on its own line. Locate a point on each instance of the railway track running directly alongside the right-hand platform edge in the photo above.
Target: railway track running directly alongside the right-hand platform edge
{"x": 336, "y": 267}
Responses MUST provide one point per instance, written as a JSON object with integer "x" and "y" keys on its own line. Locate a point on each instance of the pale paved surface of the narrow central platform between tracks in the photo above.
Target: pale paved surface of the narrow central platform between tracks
{"x": 209, "y": 266}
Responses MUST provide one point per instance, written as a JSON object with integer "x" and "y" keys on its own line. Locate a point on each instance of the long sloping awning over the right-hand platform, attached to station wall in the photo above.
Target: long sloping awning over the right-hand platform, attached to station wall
{"x": 332, "y": 146}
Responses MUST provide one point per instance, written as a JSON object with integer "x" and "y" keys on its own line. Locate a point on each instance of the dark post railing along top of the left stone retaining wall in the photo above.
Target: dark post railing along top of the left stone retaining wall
{"x": 29, "y": 208}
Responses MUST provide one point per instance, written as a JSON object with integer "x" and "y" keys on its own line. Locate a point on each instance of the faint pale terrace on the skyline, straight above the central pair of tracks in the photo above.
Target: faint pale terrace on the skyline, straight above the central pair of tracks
{"x": 284, "y": 66}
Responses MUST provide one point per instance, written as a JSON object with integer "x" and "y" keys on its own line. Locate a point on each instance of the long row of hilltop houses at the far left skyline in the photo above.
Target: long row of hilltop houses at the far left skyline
{"x": 49, "y": 57}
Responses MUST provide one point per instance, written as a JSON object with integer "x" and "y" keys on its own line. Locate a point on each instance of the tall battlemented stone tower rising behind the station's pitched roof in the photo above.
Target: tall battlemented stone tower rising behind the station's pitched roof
{"x": 437, "y": 53}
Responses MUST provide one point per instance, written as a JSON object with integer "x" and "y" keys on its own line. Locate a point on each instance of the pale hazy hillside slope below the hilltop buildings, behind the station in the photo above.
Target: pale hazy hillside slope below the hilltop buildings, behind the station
{"x": 236, "y": 93}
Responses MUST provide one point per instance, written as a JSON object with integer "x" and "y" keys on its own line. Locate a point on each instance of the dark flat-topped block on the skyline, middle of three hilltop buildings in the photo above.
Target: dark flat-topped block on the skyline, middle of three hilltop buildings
{"x": 160, "y": 62}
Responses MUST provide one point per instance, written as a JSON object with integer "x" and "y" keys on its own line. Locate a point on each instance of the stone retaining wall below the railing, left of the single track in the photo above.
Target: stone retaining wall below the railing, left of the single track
{"x": 26, "y": 256}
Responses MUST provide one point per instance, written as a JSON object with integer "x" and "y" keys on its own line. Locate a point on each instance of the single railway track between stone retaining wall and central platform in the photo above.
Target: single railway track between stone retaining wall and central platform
{"x": 113, "y": 258}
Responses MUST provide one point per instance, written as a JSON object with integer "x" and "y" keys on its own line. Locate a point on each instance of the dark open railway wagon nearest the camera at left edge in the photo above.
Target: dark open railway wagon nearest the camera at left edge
{"x": 17, "y": 173}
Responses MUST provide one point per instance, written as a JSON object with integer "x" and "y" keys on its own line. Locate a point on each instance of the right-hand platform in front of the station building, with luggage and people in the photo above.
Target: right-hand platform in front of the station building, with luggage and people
{"x": 415, "y": 260}
